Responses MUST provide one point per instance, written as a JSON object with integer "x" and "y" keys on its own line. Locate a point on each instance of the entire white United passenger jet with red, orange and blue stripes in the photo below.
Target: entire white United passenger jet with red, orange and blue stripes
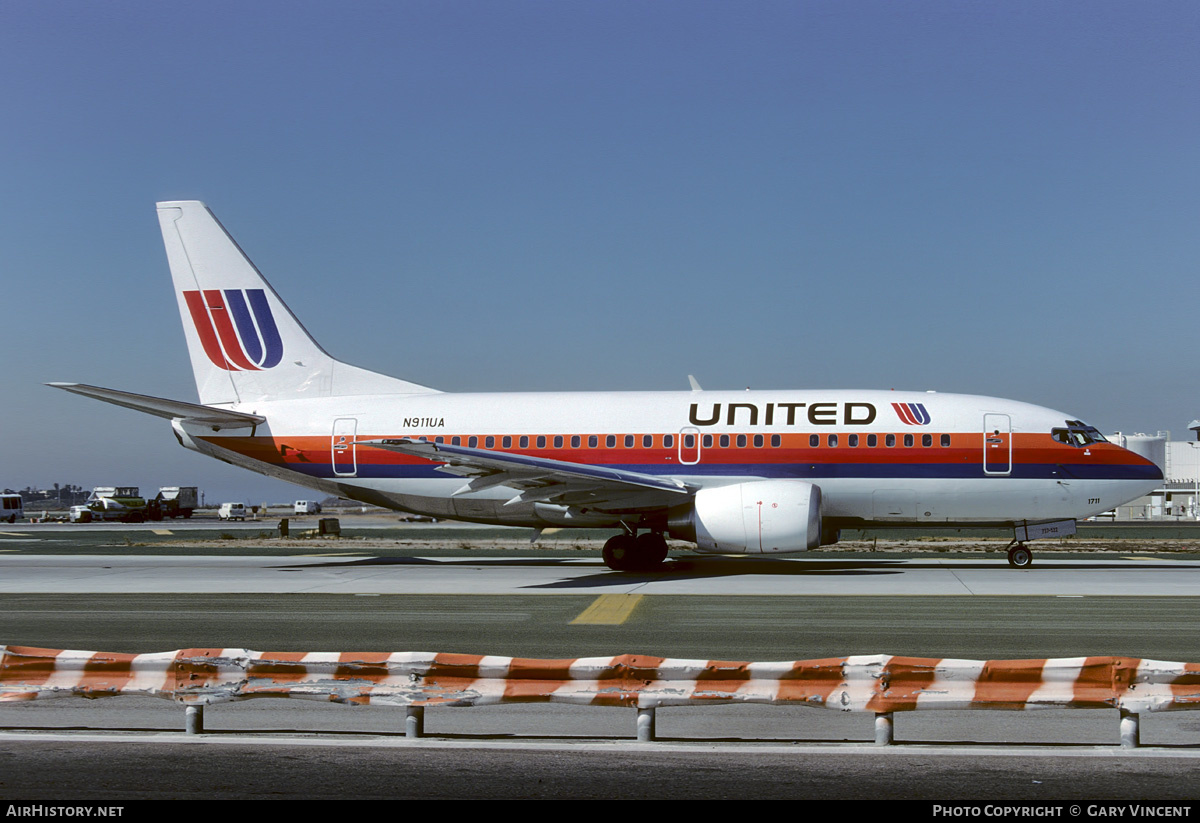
{"x": 731, "y": 472}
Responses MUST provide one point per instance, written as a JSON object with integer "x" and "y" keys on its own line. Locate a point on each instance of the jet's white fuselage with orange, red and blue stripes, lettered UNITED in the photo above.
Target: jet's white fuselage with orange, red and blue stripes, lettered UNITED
{"x": 878, "y": 456}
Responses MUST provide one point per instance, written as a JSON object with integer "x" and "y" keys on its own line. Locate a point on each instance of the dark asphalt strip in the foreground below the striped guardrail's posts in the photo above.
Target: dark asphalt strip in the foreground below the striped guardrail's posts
{"x": 113, "y": 771}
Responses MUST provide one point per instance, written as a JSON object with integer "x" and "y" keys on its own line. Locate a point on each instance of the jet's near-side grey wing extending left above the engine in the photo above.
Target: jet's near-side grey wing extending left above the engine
{"x": 541, "y": 480}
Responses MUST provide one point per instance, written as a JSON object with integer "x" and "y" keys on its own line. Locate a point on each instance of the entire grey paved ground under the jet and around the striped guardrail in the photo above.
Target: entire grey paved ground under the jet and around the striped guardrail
{"x": 529, "y": 603}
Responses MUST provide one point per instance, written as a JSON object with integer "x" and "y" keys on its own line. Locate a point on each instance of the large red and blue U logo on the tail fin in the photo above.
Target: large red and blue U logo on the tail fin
{"x": 237, "y": 328}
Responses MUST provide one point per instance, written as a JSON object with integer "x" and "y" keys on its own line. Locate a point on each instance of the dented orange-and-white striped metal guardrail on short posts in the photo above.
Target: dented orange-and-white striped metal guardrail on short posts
{"x": 879, "y": 684}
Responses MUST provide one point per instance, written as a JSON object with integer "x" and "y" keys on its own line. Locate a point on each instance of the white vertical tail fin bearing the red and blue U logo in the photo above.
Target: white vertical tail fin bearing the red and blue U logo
{"x": 244, "y": 341}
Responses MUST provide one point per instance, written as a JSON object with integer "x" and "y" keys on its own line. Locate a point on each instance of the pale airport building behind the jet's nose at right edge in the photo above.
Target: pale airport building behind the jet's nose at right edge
{"x": 1179, "y": 497}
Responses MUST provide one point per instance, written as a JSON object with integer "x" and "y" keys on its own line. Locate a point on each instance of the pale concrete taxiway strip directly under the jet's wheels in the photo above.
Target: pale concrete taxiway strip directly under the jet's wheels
{"x": 355, "y": 573}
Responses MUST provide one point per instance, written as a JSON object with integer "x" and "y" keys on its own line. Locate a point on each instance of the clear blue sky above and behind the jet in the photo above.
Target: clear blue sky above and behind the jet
{"x": 989, "y": 199}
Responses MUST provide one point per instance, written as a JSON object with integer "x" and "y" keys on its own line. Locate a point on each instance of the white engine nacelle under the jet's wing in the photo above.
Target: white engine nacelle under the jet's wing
{"x": 761, "y": 516}
